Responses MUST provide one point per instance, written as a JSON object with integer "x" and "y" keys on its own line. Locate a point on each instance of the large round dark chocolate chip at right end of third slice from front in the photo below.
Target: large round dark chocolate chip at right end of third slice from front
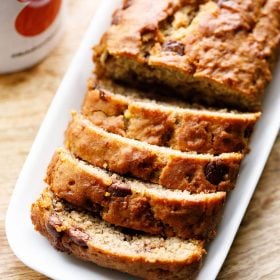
{"x": 215, "y": 172}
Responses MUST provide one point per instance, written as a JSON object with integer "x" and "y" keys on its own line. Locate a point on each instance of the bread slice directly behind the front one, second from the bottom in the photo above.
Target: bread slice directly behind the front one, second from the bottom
{"x": 133, "y": 204}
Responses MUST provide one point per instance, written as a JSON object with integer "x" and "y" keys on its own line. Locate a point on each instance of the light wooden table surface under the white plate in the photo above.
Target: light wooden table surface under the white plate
{"x": 24, "y": 99}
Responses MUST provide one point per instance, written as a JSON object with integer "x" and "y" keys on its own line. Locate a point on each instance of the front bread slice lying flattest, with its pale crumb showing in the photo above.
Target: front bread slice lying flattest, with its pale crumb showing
{"x": 91, "y": 239}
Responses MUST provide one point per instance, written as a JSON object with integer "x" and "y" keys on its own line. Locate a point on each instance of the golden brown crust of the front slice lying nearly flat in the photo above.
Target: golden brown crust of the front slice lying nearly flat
{"x": 48, "y": 218}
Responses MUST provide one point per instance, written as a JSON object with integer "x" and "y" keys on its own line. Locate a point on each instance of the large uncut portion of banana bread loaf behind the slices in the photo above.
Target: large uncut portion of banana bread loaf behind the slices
{"x": 218, "y": 51}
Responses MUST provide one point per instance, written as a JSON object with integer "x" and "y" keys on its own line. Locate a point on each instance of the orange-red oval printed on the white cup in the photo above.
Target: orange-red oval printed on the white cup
{"x": 36, "y": 16}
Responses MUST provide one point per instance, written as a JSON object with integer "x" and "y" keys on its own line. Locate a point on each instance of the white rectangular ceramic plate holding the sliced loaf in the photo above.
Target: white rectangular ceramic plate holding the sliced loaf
{"x": 33, "y": 250}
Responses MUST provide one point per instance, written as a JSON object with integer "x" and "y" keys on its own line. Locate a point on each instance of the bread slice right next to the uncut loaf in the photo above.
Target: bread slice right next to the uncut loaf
{"x": 127, "y": 112}
